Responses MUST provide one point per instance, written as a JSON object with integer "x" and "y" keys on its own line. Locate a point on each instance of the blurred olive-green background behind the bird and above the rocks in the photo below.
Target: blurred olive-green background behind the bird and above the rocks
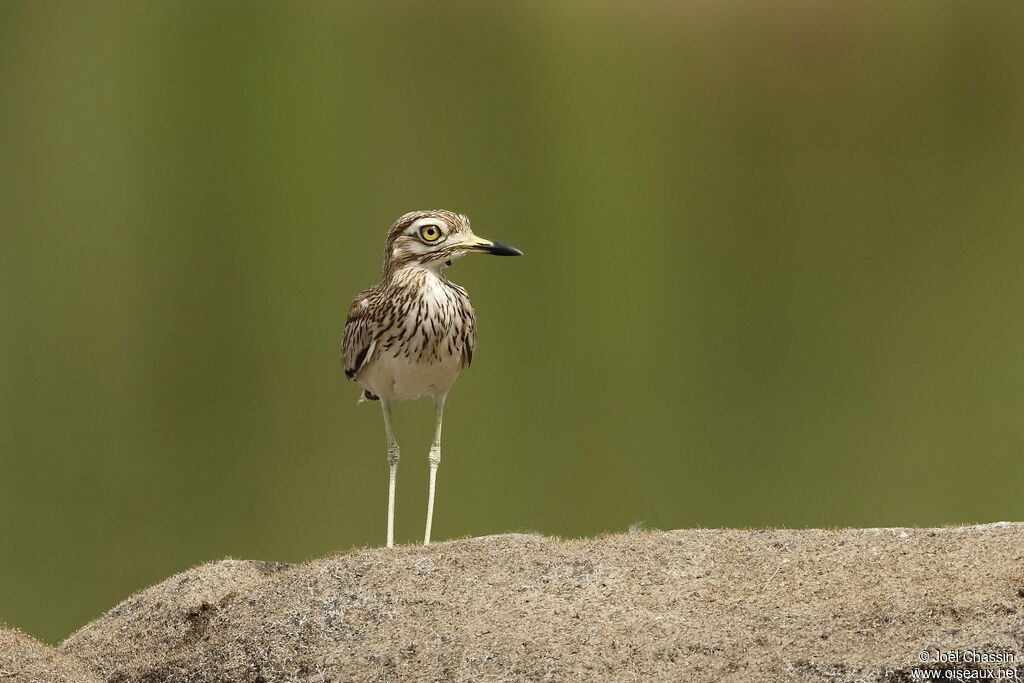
{"x": 774, "y": 274}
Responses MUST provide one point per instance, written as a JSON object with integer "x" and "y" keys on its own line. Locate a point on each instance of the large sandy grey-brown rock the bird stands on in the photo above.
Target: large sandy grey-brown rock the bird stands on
{"x": 696, "y": 606}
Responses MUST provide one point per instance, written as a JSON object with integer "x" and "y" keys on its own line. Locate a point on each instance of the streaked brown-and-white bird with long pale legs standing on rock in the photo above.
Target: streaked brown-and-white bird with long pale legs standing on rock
{"x": 411, "y": 334}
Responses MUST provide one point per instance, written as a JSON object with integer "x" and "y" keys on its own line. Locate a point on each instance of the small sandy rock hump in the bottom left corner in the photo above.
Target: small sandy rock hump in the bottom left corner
{"x": 26, "y": 661}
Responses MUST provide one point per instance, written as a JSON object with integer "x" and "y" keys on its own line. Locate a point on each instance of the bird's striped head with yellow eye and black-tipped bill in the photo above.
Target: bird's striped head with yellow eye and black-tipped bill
{"x": 434, "y": 239}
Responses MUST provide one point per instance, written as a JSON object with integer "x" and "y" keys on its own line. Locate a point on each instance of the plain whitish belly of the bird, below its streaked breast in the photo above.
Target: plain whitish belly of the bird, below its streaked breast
{"x": 394, "y": 378}
